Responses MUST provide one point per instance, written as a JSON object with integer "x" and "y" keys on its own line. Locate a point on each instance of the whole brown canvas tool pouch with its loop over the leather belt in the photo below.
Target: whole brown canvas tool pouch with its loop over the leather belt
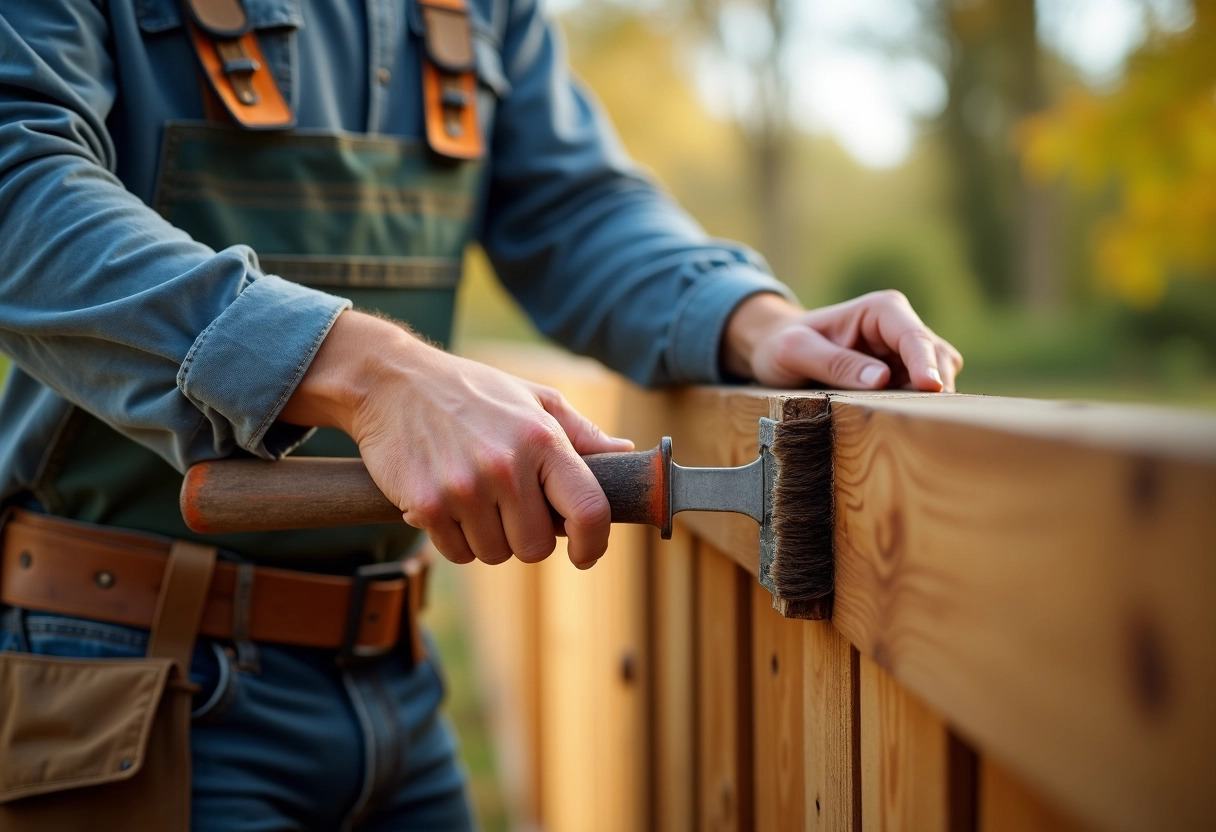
{"x": 105, "y": 744}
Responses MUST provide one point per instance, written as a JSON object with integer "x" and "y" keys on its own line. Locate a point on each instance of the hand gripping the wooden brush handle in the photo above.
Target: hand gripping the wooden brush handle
{"x": 471, "y": 456}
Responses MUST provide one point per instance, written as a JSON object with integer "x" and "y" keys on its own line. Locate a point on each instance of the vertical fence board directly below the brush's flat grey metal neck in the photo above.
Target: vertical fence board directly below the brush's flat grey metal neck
{"x": 724, "y": 713}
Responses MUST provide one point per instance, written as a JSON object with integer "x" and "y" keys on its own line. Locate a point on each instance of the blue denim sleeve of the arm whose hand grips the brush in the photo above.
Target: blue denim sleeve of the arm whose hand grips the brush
{"x": 188, "y": 351}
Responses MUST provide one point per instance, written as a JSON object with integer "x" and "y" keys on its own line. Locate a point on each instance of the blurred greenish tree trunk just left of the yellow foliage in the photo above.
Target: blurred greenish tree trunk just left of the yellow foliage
{"x": 995, "y": 80}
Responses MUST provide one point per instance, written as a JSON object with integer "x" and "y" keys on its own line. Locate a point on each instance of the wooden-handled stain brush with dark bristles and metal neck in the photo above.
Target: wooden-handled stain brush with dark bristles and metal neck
{"x": 787, "y": 490}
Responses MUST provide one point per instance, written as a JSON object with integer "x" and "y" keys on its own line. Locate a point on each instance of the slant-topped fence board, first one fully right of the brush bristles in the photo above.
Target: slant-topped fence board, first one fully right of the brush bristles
{"x": 905, "y": 773}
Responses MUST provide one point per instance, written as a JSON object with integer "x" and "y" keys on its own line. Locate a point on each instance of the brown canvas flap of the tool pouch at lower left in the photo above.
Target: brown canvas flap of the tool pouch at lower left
{"x": 69, "y": 723}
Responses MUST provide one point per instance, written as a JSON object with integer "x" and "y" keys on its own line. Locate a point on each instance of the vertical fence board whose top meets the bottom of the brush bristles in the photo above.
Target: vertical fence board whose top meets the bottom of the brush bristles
{"x": 830, "y": 730}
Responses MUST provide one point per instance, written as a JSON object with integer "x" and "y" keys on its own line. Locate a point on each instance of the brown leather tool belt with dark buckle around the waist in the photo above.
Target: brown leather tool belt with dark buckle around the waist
{"x": 74, "y": 569}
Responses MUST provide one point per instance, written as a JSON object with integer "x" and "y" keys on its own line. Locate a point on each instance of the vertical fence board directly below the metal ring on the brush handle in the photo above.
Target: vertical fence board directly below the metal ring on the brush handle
{"x": 674, "y": 711}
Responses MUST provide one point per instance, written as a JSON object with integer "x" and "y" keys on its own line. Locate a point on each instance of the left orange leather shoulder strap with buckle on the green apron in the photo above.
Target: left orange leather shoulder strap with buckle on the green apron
{"x": 234, "y": 65}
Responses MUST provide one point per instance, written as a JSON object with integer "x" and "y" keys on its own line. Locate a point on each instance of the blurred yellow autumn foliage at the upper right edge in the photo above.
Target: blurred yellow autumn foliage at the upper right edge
{"x": 1152, "y": 144}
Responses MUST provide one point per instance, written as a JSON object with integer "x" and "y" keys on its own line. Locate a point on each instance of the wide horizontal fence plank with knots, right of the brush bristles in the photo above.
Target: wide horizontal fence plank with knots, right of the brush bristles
{"x": 1055, "y": 598}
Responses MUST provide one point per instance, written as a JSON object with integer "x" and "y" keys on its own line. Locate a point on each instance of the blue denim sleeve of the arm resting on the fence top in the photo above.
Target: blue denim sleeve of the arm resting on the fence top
{"x": 601, "y": 258}
